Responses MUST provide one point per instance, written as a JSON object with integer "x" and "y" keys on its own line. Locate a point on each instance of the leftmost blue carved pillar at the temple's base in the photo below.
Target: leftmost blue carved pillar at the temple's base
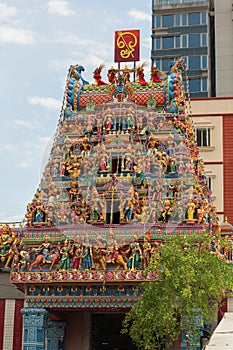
{"x": 34, "y": 325}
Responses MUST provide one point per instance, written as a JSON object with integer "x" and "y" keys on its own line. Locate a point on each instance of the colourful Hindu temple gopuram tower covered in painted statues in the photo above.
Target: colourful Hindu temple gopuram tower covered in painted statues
{"x": 123, "y": 174}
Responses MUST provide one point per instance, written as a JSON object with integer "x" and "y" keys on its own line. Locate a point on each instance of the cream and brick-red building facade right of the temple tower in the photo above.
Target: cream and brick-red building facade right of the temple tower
{"x": 212, "y": 119}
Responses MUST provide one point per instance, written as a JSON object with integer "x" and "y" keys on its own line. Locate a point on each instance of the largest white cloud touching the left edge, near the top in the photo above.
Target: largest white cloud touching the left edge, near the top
{"x": 10, "y": 34}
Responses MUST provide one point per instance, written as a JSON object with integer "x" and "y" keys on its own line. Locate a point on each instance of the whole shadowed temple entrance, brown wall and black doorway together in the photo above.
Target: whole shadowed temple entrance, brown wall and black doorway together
{"x": 93, "y": 330}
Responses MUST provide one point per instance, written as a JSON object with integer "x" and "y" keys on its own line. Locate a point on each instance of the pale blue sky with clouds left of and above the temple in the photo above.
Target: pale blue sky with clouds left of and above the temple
{"x": 39, "y": 40}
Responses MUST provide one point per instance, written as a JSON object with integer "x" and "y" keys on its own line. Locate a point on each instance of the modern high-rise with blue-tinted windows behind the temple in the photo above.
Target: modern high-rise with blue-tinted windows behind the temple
{"x": 202, "y": 32}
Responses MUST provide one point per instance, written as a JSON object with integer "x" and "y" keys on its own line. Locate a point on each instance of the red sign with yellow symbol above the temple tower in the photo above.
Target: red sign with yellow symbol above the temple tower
{"x": 127, "y": 45}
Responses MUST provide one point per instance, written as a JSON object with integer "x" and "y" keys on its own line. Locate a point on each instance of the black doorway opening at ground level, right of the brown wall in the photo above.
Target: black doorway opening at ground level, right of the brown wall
{"x": 106, "y": 333}
